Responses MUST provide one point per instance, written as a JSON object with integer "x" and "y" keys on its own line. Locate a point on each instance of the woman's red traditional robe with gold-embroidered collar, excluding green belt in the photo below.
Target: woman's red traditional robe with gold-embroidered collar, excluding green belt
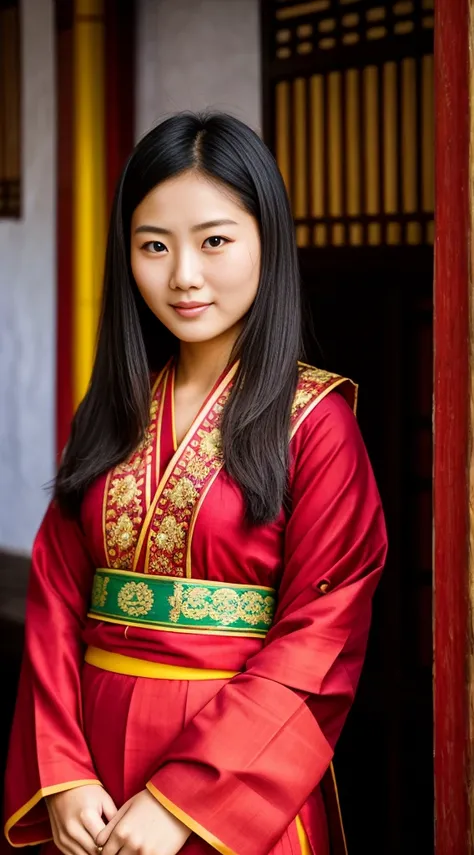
{"x": 236, "y": 759}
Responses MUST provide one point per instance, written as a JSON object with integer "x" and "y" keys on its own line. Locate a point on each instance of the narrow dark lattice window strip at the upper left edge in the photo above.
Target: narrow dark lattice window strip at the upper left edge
{"x": 10, "y": 127}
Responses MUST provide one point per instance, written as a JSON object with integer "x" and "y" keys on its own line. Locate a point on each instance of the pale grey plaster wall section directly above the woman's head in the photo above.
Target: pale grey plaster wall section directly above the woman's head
{"x": 193, "y": 54}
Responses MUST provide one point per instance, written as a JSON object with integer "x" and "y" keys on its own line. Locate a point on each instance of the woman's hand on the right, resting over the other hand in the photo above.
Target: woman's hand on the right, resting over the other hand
{"x": 143, "y": 826}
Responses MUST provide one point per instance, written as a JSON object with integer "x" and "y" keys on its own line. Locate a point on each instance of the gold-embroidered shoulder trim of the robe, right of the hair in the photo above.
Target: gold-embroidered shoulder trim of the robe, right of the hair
{"x": 314, "y": 385}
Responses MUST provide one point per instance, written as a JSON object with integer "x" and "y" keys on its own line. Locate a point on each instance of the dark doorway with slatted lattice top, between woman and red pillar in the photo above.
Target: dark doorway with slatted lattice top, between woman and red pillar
{"x": 348, "y": 107}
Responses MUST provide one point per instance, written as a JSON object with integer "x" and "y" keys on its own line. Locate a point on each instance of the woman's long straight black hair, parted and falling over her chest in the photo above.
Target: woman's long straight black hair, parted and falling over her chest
{"x": 132, "y": 342}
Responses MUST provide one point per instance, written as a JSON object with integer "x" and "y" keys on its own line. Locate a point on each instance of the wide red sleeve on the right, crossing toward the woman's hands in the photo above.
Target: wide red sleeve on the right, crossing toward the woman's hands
{"x": 241, "y": 770}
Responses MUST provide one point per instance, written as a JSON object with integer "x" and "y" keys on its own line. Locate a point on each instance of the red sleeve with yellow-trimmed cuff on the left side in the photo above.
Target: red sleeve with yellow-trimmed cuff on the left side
{"x": 48, "y": 752}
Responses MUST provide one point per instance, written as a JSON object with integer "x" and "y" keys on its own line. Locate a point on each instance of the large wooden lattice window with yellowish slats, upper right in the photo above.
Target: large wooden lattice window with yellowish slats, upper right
{"x": 351, "y": 115}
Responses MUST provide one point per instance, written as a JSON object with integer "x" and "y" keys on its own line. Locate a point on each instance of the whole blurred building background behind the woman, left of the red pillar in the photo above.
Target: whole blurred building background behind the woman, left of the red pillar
{"x": 342, "y": 92}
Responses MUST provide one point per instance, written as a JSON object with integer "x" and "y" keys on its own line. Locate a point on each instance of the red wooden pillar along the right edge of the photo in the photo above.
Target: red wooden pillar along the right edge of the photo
{"x": 453, "y": 645}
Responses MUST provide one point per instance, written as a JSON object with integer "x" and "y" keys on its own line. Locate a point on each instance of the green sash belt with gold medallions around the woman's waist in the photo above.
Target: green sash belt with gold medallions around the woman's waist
{"x": 189, "y": 605}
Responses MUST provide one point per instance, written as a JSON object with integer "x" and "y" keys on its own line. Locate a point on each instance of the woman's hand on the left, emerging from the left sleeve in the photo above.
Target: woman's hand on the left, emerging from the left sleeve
{"x": 76, "y": 818}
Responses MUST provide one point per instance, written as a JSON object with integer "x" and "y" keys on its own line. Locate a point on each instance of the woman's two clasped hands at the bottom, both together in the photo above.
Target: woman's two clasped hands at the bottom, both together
{"x": 142, "y": 826}
